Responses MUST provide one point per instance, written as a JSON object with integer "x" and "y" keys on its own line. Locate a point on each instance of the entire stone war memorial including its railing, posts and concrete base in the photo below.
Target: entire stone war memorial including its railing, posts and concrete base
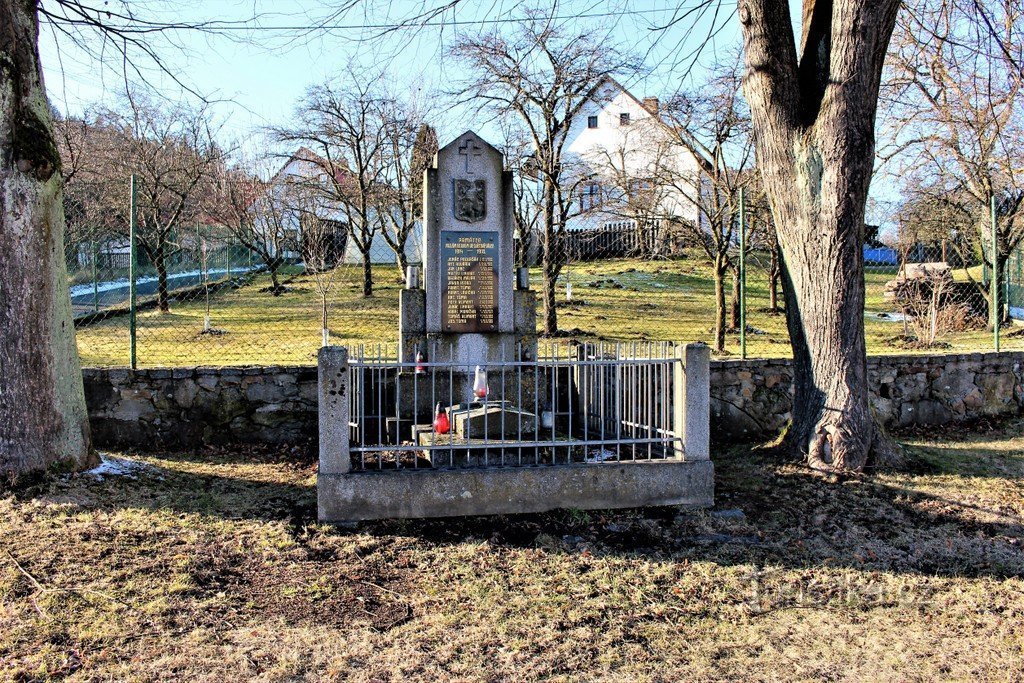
{"x": 470, "y": 421}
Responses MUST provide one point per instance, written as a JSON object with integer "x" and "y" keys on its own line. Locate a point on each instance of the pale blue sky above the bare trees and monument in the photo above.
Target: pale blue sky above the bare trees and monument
{"x": 259, "y": 75}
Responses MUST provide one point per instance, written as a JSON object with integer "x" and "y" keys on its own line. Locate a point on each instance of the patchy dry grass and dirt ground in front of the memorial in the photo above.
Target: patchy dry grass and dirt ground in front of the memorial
{"x": 210, "y": 567}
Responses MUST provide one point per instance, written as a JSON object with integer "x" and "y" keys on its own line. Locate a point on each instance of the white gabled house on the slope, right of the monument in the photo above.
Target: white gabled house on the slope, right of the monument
{"x": 625, "y": 146}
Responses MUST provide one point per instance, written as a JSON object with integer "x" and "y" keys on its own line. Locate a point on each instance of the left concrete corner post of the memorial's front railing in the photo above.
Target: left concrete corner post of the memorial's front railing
{"x": 333, "y": 382}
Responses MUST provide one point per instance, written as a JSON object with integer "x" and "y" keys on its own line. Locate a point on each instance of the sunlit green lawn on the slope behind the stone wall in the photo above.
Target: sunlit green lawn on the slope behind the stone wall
{"x": 615, "y": 301}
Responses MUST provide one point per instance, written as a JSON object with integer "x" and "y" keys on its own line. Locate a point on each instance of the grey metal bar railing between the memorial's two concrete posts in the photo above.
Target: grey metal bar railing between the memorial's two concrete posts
{"x": 575, "y": 404}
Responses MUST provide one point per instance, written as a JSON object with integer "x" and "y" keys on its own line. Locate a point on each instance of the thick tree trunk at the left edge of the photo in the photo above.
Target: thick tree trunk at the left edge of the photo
{"x": 44, "y": 421}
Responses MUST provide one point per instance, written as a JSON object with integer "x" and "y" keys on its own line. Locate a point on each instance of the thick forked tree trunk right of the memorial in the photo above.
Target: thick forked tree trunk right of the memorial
{"x": 815, "y": 125}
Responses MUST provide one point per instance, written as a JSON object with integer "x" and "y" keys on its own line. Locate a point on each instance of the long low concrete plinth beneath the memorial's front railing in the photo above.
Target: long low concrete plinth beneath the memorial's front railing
{"x": 431, "y": 493}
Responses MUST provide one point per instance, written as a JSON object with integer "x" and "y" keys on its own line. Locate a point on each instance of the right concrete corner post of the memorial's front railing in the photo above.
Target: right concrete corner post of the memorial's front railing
{"x": 692, "y": 402}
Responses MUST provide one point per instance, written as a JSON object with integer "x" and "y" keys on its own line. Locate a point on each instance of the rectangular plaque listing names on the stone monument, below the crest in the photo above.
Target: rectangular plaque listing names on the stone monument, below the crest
{"x": 470, "y": 281}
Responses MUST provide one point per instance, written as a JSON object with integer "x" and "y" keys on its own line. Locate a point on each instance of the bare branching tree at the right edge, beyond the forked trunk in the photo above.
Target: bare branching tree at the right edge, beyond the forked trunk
{"x": 955, "y": 106}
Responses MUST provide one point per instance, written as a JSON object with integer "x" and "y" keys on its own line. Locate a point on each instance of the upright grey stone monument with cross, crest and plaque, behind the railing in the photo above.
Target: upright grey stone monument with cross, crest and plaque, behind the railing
{"x": 474, "y": 308}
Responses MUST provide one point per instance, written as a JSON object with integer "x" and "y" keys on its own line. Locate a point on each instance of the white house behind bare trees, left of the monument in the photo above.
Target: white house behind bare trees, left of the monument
{"x": 306, "y": 167}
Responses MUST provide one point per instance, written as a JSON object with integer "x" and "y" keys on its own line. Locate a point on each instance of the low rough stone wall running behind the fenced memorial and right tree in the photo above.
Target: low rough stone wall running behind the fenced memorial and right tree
{"x": 186, "y": 408}
